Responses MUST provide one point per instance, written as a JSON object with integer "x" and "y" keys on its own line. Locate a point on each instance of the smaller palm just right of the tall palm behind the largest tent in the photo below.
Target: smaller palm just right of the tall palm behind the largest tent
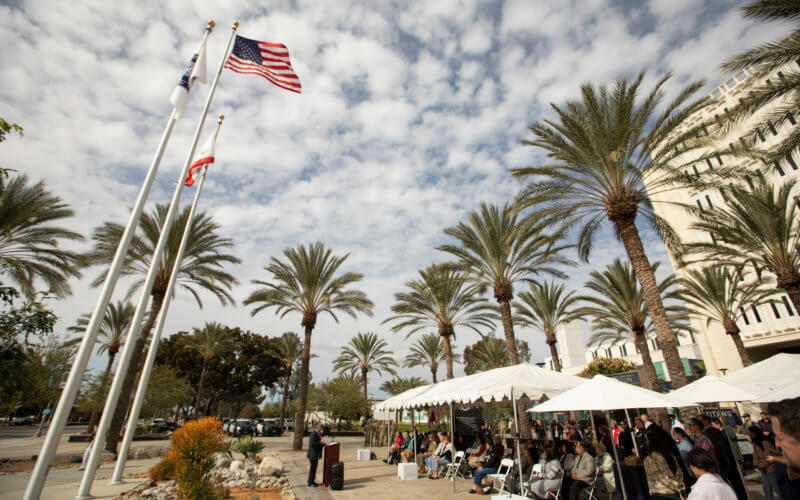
{"x": 545, "y": 307}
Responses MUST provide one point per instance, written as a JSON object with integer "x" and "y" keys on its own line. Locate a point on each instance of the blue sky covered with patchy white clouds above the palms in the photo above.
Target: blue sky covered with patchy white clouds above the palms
{"x": 410, "y": 116}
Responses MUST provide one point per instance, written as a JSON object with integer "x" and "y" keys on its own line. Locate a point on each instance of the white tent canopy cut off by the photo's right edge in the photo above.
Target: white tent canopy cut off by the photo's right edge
{"x": 772, "y": 374}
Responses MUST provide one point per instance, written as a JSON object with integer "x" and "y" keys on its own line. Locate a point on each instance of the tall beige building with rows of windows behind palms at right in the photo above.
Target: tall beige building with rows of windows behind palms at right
{"x": 767, "y": 328}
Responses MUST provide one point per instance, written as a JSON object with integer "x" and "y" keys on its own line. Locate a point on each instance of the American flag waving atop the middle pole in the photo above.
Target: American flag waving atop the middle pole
{"x": 270, "y": 60}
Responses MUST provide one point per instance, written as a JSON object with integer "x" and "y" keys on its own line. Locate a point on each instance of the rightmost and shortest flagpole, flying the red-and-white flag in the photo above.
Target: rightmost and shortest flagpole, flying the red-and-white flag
{"x": 138, "y": 401}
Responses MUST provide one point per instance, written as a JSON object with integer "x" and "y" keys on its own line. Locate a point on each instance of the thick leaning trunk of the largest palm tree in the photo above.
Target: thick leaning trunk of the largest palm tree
{"x": 629, "y": 234}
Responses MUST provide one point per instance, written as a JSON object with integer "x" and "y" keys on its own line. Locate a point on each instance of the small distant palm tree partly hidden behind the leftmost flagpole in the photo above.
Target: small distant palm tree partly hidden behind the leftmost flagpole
{"x": 112, "y": 334}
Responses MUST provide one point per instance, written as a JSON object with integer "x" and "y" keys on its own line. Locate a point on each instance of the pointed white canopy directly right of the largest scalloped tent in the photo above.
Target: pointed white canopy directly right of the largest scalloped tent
{"x": 604, "y": 393}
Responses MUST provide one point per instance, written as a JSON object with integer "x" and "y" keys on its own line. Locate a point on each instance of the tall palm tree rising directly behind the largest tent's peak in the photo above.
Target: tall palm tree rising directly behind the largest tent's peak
{"x": 498, "y": 251}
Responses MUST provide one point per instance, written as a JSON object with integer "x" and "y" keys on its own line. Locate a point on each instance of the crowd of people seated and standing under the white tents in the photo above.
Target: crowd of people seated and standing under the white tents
{"x": 699, "y": 460}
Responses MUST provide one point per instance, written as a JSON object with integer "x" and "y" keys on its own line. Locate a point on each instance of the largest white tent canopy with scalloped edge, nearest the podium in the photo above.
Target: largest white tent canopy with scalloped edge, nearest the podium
{"x": 526, "y": 381}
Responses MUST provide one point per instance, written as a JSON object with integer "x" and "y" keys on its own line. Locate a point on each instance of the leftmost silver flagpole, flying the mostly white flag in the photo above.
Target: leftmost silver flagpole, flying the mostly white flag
{"x": 36, "y": 483}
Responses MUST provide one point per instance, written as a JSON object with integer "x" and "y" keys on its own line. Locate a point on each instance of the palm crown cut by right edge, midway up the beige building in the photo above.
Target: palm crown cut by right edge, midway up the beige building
{"x": 761, "y": 226}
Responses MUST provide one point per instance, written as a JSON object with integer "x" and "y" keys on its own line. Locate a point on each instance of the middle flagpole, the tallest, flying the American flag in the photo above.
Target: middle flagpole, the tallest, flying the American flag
{"x": 136, "y": 324}
